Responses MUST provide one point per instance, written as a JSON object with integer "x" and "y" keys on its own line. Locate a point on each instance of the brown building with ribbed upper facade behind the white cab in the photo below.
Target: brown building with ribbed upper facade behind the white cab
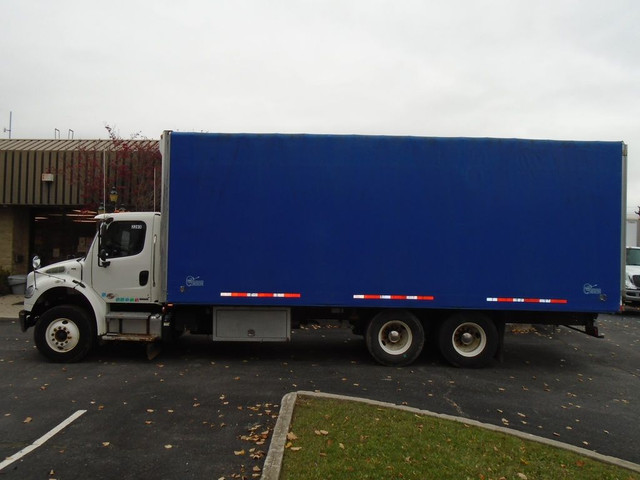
{"x": 50, "y": 190}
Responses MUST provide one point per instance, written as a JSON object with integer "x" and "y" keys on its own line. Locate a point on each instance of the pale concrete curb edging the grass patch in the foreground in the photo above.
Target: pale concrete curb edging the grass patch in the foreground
{"x": 273, "y": 462}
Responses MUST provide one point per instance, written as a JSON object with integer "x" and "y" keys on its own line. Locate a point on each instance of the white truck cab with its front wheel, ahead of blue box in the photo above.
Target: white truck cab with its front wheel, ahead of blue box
{"x": 111, "y": 294}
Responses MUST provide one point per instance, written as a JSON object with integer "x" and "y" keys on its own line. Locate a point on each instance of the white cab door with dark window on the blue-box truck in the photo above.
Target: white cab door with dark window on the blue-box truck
{"x": 122, "y": 268}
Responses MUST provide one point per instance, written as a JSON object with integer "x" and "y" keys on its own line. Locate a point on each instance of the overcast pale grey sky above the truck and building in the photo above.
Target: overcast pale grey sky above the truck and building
{"x": 543, "y": 69}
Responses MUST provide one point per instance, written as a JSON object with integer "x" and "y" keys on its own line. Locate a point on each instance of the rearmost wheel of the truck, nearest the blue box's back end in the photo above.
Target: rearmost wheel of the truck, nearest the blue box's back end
{"x": 468, "y": 339}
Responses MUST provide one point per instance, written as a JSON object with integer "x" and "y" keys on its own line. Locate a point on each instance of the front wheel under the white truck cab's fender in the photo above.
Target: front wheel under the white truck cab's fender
{"x": 65, "y": 334}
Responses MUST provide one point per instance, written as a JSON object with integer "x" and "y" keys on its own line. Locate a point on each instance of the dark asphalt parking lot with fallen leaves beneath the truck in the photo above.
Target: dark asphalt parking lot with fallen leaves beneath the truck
{"x": 204, "y": 410}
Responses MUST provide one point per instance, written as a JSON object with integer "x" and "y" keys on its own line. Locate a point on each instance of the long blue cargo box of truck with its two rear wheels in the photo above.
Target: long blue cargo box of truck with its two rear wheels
{"x": 414, "y": 230}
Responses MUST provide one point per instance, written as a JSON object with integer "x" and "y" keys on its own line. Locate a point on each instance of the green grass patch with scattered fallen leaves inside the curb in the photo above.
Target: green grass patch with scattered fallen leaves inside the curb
{"x": 338, "y": 439}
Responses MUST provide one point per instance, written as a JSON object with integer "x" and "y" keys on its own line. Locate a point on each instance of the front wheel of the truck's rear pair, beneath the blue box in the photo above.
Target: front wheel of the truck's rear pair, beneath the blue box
{"x": 395, "y": 338}
